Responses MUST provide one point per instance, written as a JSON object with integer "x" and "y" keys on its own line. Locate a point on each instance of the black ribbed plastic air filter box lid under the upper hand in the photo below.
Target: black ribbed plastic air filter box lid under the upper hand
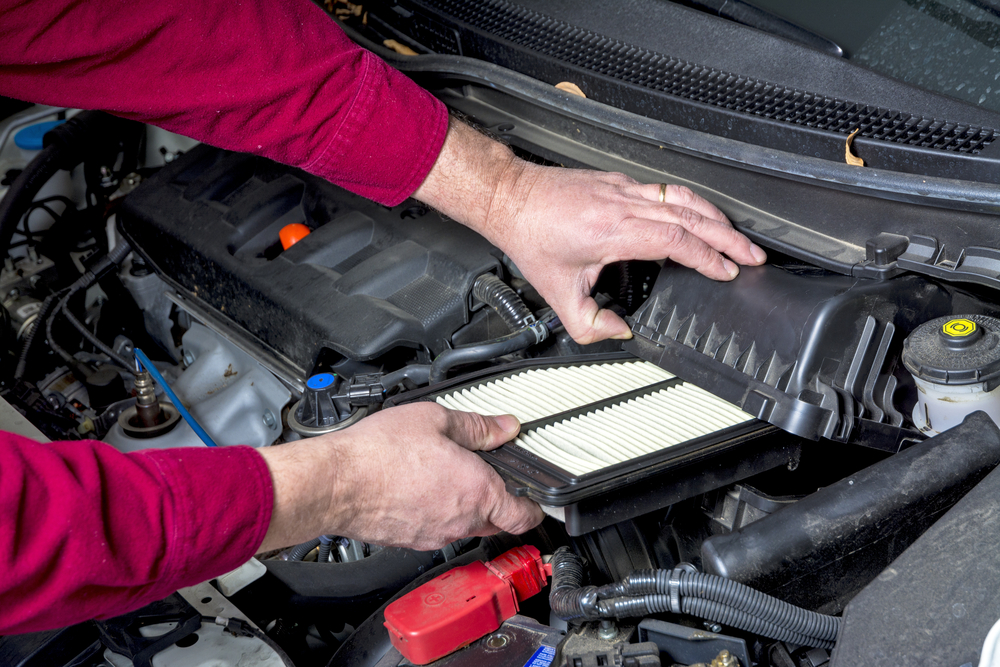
{"x": 811, "y": 352}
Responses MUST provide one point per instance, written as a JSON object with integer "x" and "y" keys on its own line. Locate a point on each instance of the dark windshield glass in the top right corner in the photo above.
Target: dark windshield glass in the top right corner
{"x": 947, "y": 46}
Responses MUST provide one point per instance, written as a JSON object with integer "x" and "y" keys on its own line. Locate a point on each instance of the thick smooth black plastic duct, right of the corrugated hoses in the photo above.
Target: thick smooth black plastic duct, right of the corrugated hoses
{"x": 832, "y": 543}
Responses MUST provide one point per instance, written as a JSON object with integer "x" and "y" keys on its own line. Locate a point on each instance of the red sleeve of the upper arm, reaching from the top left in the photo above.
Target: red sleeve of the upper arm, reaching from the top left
{"x": 277, "y": 78}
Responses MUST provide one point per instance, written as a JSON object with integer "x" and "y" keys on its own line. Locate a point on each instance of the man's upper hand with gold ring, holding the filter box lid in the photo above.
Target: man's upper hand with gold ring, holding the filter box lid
{"x": 562, "y": 226}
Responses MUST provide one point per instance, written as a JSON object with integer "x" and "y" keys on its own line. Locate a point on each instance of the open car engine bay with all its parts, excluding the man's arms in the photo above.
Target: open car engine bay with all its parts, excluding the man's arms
{"x": 795, "y": 469}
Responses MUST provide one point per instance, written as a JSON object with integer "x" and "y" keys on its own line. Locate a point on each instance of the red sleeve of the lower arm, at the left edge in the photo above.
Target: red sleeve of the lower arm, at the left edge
{"x": 89, "y": 532}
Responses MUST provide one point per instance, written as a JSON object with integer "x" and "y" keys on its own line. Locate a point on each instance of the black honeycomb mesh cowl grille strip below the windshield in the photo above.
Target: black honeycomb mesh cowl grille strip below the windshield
{"x": 582, "y": 48}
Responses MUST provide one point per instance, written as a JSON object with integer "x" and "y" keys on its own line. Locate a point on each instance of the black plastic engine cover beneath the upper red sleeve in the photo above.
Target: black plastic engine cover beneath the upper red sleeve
{"x": 367, "y": 279}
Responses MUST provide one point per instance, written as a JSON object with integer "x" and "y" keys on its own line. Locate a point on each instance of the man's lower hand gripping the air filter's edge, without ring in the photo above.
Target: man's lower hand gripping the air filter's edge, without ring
{"x": 406, "y": 476}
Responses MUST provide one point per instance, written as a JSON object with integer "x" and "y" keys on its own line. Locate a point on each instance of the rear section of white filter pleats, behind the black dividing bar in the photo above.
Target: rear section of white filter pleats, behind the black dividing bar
{"x": 543, "y": 392}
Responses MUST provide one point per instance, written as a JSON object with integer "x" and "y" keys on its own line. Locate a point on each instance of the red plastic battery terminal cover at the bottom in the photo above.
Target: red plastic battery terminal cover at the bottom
{"x": 463, "y": 604}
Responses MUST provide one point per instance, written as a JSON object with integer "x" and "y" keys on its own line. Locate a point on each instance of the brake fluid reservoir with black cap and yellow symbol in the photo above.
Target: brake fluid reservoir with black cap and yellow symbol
{"x": 955, "y": 362}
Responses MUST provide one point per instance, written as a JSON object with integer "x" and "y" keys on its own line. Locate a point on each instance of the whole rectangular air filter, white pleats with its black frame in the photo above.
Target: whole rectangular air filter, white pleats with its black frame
{"x": 609, "y": 438}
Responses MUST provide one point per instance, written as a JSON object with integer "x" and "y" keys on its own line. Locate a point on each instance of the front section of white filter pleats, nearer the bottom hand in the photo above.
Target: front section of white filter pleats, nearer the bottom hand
{"x": 636, "y": 427}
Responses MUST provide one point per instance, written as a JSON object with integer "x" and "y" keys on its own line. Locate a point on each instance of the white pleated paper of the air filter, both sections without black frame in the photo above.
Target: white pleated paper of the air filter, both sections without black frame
{"x": 586, "y": 418}
